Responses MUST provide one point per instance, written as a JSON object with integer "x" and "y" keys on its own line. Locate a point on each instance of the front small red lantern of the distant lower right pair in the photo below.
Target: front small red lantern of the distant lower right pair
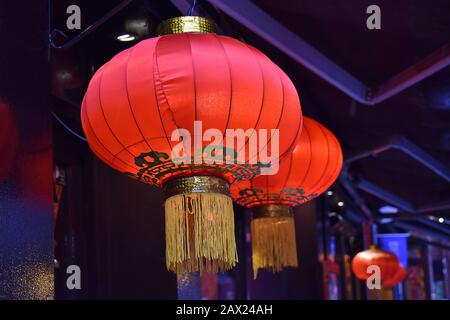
{"x": 385, "y": 260}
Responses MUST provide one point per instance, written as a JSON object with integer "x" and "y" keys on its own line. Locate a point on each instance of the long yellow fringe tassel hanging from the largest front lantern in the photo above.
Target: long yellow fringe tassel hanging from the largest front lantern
{"x": 200, "y": 233}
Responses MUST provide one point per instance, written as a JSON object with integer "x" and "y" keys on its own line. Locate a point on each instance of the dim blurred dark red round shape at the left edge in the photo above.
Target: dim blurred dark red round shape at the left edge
{"x": 9, "y": 139}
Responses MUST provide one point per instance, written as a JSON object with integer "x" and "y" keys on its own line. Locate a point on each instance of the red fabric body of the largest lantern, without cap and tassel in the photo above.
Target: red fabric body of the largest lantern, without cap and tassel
{"x": 137, "y": 99}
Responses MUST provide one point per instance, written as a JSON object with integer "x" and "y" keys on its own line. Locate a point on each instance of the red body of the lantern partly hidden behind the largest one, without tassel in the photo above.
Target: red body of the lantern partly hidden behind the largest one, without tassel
{"x": 307, "y": 172}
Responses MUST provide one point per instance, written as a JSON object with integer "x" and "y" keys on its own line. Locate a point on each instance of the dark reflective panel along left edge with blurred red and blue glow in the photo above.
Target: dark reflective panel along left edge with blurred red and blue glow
{"x": 26, "y": 222}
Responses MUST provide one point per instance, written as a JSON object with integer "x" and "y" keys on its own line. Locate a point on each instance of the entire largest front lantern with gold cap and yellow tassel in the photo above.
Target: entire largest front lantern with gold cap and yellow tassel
{"x": 141, "y": 97}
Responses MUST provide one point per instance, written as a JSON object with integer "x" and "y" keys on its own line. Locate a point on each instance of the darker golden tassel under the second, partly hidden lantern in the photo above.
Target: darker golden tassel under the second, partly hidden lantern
{"x": 273, "y": 243}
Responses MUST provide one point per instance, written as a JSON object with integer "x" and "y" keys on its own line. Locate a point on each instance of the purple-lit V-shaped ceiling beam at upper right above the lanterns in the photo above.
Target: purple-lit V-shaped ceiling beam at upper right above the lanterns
{"x": 255, "y": 19}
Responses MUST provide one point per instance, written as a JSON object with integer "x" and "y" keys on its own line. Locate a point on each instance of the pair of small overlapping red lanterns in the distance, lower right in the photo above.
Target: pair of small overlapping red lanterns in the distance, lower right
{"x": 391, "y": 271}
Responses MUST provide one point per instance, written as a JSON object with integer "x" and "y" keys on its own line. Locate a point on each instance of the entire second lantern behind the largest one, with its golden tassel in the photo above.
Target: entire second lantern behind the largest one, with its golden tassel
{"x": 313, "y": 166}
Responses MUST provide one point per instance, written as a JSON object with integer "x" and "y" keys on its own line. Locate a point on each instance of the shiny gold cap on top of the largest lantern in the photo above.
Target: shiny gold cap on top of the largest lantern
{"x": 186, "y": 24}
